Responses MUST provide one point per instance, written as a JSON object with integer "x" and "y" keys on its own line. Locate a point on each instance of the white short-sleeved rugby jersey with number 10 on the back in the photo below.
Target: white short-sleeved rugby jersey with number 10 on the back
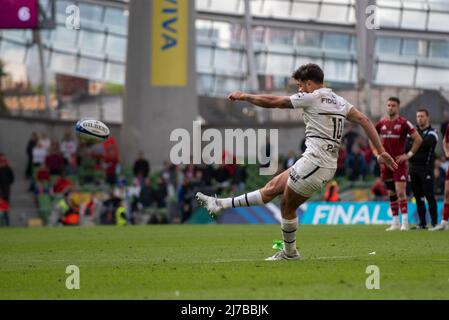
{"x": 324, "y": 115}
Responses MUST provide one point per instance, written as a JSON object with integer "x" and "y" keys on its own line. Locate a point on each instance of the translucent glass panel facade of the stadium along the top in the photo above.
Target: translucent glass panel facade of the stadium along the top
{"x": 411, "y": 48}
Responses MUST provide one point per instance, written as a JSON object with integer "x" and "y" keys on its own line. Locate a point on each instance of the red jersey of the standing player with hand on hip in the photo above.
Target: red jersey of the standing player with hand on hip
{"x": 393, "y": 134}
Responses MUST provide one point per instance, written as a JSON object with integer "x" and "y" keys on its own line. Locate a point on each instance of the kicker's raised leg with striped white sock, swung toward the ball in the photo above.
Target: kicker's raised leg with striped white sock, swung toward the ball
{"x": 271, "y": 190}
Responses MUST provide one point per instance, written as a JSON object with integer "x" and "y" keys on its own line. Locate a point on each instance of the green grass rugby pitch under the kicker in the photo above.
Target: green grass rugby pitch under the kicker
{"x": 221, "y": 262}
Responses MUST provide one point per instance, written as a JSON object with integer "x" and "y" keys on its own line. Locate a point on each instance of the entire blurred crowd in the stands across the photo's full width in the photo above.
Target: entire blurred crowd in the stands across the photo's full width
{"x": 78, "y": 183}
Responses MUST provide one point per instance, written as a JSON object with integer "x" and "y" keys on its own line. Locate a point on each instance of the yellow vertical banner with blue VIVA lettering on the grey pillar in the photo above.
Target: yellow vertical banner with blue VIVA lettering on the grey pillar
{"x": 169, "y": 54}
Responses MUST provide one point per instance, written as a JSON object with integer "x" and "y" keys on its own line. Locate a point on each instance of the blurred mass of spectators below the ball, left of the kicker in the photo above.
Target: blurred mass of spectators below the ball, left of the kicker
{"x": 59, "y": 171}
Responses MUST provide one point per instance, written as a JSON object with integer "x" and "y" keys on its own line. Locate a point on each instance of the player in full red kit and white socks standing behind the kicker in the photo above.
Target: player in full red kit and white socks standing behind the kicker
{"x": 393, "y": 130}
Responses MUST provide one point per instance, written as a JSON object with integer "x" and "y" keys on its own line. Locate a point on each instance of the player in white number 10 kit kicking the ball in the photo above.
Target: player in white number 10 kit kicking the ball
{"x": 324, "y": 116}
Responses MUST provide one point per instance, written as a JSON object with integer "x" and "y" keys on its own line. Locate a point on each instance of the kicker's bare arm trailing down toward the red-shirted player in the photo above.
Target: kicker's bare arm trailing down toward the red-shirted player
{"x": 382, "y": 156}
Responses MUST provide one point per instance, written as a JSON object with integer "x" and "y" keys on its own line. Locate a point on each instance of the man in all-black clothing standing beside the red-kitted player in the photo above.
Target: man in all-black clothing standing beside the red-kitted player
{"x": 422, "y": 165}
